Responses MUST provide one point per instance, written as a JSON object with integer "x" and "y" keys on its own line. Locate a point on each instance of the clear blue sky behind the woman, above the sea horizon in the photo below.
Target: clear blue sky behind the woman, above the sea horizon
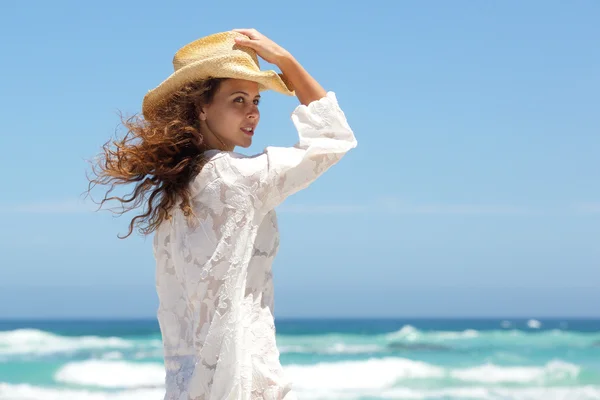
{"x": 473, "y": 190}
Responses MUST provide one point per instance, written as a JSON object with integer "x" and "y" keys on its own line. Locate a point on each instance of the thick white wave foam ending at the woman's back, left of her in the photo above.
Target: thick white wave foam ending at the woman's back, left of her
{"x": 111, "y": 374}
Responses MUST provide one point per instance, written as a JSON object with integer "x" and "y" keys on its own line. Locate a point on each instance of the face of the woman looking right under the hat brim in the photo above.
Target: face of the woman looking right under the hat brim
{"x": 232, "y": 116}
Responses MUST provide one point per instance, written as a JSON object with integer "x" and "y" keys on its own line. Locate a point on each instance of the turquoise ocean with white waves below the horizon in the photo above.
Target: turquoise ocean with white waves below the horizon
{"x": 327, "y": 359}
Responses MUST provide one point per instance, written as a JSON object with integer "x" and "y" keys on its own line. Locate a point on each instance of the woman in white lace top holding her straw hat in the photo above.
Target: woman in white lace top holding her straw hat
{"x": 212, "y": 210}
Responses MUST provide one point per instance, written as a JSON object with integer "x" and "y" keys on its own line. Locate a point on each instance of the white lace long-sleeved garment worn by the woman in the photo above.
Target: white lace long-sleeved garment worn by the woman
{"x": 213, "y": 278}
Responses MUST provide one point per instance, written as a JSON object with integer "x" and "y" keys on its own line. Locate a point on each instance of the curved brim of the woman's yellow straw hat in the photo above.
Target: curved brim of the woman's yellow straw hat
{"x": 216, "y": 67}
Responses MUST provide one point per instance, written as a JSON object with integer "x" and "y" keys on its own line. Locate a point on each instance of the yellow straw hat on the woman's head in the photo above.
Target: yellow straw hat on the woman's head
{"x": 216, "y": 56}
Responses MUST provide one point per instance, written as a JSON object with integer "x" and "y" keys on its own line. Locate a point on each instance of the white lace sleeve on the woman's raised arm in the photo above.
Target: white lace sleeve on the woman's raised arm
{"x": 324, "y": 137}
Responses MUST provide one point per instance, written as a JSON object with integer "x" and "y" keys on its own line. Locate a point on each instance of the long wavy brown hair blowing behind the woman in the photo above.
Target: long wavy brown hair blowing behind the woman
{"x": 159, "y": 156}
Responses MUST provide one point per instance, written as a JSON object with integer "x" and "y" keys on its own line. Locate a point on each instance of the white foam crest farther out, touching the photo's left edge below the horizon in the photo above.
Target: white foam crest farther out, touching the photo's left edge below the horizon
{"x": 37, "y": 342}
